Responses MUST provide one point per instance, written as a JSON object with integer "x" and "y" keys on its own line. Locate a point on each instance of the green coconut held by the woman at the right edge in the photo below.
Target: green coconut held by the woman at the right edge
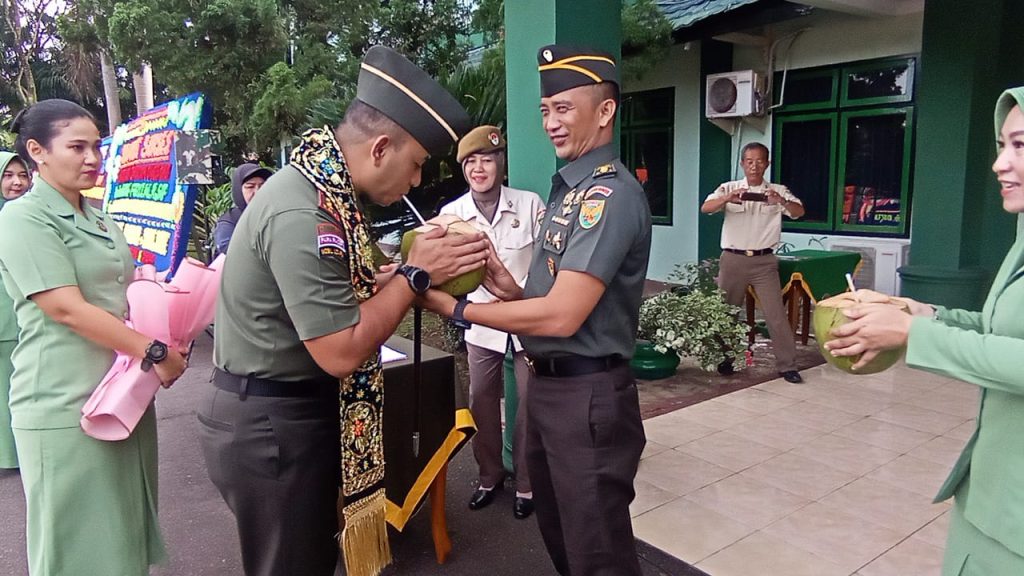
{"x": 829, "y": 316}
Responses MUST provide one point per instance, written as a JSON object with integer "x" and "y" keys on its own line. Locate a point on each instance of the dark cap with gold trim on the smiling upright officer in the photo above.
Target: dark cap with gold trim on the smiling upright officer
{"x": 565, "y": 68}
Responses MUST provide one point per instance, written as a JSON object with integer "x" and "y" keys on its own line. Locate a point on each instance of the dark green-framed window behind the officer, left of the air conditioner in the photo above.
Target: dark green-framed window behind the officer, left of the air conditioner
{"x": 641, "y": 124}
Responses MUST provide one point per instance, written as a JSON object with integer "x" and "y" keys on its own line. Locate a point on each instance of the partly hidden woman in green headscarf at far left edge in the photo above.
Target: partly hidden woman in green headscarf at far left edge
{"x": 15, "y": 181}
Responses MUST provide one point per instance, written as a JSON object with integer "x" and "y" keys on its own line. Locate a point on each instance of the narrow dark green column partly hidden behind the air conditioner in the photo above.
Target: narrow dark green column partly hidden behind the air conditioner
{"x": 715, "y": 151}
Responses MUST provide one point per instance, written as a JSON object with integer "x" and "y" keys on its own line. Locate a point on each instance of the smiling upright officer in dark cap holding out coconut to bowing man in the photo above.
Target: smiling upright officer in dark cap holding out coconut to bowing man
{"x": 577, "y": 318}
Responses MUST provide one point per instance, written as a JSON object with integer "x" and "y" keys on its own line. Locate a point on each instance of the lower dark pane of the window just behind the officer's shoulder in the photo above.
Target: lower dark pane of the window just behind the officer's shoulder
{"x": 651, "y": 162}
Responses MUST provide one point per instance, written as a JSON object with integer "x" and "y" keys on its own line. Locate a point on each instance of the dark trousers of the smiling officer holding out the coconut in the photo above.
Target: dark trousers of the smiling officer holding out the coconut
{"x": 584, "y": 442}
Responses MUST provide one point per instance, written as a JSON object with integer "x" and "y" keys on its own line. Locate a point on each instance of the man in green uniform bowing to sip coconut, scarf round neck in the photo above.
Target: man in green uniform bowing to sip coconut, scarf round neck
{"x": 302, "y": 308}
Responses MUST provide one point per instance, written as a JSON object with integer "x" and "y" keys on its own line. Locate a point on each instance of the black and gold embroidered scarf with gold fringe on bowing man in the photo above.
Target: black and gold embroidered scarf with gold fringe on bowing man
{"x": 361, "y": 504}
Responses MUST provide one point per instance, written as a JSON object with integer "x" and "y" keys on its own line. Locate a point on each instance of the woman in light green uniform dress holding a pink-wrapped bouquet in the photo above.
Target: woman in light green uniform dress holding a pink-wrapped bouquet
{"x": 92, "y": 506}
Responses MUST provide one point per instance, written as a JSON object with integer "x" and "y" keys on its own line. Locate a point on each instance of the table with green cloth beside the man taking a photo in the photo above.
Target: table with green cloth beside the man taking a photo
{"x": 808, "y": 276}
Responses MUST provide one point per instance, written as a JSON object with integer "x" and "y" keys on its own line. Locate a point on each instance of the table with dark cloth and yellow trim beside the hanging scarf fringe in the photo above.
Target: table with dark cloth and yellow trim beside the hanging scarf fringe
{"x": 440, "y": 414}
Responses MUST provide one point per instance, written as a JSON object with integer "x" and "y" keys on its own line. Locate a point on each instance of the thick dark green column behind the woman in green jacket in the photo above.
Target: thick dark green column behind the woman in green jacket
{"x": 971, "y": 52}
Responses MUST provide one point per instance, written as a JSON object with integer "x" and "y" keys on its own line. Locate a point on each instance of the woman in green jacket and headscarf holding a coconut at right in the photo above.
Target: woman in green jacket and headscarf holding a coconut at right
{"x": 987, "y": 531}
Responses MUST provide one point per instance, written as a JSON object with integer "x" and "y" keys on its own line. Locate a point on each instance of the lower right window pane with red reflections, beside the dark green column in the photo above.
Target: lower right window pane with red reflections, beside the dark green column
{"x": 874, "y": 172}
